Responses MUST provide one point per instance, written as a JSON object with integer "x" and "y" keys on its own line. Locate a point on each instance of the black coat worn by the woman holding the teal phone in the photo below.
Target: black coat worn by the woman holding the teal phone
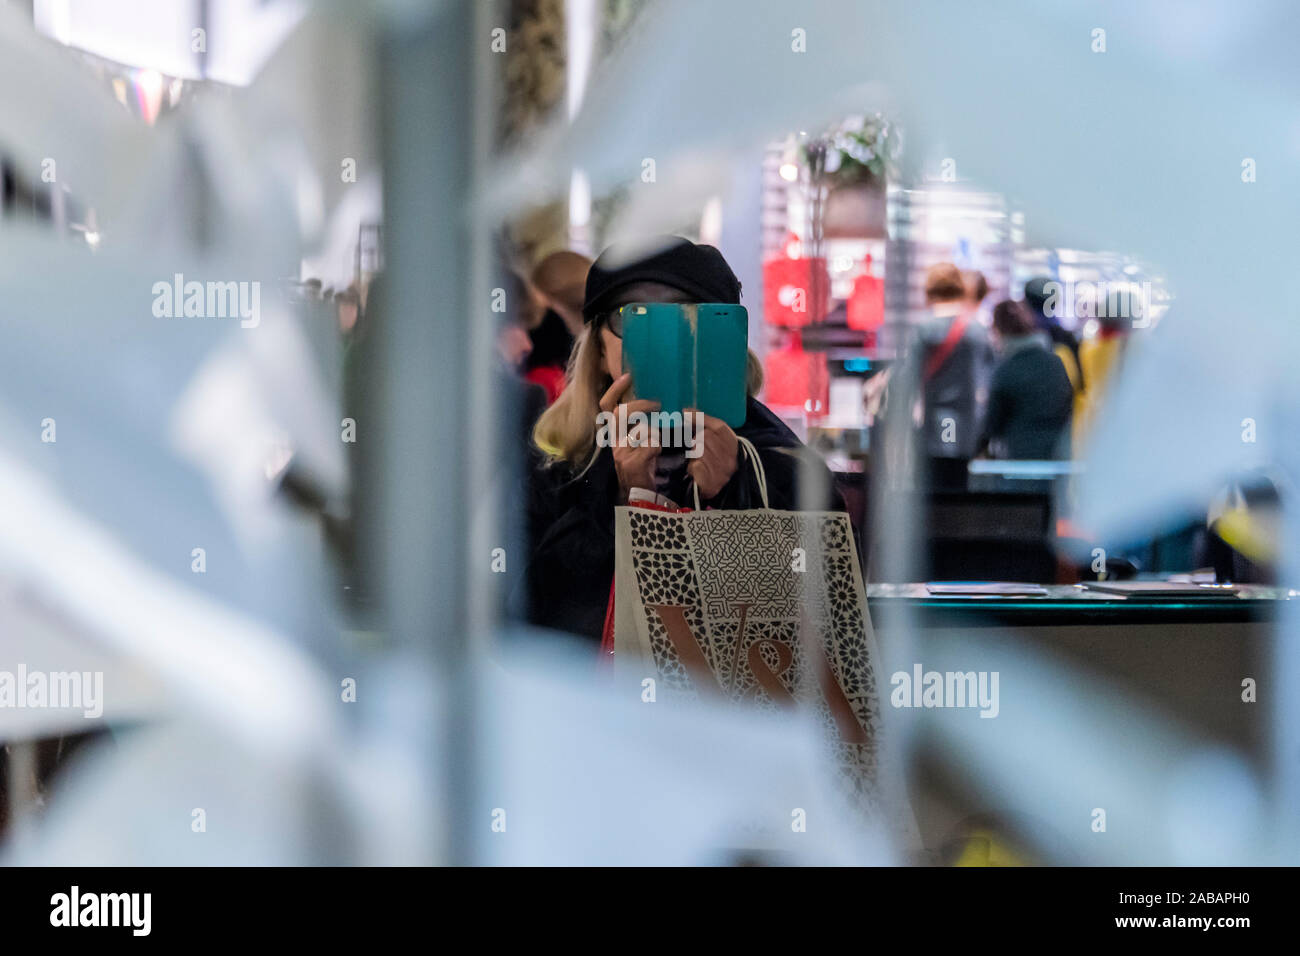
{"x": 571, "y": 522}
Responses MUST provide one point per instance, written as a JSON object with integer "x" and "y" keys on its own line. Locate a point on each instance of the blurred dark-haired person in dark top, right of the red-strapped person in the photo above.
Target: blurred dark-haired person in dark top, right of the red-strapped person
{"x": 1032, "y": 400}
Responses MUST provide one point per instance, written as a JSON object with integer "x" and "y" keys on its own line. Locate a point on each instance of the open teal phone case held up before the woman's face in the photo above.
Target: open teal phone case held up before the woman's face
{"x": 690, "y": 357}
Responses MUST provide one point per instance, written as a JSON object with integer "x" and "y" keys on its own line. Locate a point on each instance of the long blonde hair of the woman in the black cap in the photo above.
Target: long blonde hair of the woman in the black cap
{"x": 566, "y": 432}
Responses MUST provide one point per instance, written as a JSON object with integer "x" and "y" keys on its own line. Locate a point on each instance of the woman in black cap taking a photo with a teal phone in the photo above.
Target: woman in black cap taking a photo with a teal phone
{"x": 580, "y": 483}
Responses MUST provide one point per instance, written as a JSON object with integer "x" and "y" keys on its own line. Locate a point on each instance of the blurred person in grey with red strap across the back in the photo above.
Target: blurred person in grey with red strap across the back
{"x": 956, "y": 364}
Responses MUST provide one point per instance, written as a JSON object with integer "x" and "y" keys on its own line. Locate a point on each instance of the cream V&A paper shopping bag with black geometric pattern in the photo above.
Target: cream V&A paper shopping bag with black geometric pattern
{"x": 746, "y": 605}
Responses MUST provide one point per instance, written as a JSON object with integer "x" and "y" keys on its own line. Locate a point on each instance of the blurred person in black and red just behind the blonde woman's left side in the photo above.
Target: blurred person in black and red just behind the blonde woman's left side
{"x": 560, "y": 283}
